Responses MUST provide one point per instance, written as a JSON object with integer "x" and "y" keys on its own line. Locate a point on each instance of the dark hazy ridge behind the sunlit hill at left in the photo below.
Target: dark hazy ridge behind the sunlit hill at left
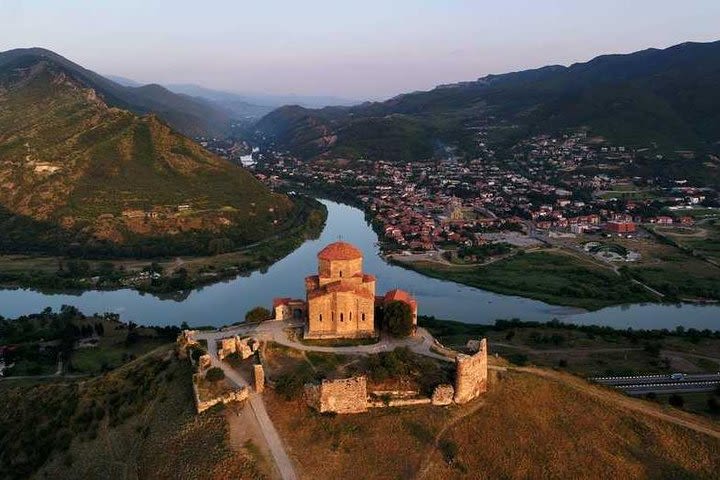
{"x": 190, "y": 116}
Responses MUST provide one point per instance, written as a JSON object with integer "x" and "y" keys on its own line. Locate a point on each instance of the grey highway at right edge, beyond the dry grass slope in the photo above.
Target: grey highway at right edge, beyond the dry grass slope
{"x": 640, "y": 385}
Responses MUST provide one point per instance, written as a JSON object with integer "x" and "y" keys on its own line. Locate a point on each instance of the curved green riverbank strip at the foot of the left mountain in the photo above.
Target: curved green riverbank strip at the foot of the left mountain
{"x": 161, "y": 276}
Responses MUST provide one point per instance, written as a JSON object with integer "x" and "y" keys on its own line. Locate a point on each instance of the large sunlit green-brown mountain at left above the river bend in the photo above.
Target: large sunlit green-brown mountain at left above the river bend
{"x": 78, "y": 172}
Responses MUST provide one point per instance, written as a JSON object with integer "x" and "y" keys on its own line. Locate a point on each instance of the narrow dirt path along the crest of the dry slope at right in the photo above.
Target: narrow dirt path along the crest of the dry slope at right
{"x": 627, "y": 403}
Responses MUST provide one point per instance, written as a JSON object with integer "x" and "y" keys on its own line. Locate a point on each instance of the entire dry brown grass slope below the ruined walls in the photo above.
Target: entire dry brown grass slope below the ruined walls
{"x": 527, "y": 426}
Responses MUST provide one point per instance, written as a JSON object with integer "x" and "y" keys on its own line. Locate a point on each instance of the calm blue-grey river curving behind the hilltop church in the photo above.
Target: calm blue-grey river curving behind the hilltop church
{"x": 226, "y": 302}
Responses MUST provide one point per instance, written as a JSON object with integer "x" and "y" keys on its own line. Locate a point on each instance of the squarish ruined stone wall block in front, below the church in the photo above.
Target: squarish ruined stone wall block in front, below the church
{"x": 348, "y": 395}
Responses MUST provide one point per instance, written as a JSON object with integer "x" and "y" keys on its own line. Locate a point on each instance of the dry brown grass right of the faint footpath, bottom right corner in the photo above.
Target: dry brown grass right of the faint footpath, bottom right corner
{"x": 532, "y": 427}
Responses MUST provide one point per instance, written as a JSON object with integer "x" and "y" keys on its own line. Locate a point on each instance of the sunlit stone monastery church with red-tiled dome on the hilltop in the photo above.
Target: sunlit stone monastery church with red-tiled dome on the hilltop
{"x": 340, "y": 300}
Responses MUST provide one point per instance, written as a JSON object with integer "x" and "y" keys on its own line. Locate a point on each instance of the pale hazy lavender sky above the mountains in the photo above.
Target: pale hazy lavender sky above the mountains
{"x": 358, "y": 49}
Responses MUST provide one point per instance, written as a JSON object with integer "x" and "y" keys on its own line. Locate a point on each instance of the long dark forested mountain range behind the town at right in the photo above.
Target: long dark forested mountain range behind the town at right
{"x": 664, "y": 97}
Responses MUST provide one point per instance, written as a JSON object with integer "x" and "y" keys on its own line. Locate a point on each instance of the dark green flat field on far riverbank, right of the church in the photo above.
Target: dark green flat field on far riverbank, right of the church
{"x": 552, "y": 276}
